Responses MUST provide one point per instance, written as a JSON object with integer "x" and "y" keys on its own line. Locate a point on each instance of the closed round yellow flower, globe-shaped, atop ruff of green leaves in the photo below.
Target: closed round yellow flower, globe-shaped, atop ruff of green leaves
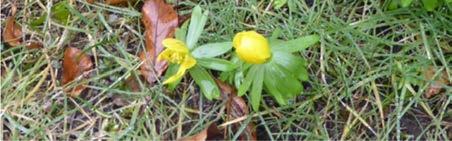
{"x": 251, "y": 47}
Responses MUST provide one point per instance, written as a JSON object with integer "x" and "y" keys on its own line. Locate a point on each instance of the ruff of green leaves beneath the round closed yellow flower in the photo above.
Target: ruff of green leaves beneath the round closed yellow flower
{"x": 281, "y": 77}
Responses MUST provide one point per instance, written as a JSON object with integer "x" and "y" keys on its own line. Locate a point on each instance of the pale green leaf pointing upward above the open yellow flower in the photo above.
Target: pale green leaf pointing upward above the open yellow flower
{"x": 197, "y": 22}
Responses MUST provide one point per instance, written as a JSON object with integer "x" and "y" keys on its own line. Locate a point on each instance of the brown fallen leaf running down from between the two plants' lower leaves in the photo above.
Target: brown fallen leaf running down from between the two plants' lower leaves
{"x": 236, "y": 108}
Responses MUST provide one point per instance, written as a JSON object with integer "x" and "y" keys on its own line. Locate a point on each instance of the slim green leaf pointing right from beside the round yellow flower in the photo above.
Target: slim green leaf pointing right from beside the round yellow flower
{"x": 298, "y": 44}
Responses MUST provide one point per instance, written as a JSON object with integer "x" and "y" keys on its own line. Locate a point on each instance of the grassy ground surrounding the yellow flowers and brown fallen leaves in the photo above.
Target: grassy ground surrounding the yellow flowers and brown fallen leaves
{"x": 366, "y": 75}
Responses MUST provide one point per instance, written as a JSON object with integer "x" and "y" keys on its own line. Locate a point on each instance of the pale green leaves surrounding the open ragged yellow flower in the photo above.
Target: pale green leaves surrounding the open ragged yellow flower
{"x": 204, "y": 55}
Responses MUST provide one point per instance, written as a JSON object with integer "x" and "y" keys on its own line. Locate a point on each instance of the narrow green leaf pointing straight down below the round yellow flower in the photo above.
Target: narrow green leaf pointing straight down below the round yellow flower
{"x": 256, "y": 90}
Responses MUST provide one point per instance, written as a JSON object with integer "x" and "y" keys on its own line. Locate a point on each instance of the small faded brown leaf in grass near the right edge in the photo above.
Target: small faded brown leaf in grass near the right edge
{"x": 435, "y": 87}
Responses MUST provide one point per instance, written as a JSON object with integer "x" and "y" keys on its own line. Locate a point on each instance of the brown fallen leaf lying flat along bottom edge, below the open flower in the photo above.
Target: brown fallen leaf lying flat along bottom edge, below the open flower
{"x": 210, "y": 133}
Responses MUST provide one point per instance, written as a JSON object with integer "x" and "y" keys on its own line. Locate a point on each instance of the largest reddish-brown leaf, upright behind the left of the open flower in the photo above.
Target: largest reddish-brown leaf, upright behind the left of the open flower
{"x": 160, "y": 21}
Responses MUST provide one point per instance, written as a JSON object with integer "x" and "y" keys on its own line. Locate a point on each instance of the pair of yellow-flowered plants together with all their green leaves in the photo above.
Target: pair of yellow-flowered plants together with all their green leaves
{"x": 258, "y": 65}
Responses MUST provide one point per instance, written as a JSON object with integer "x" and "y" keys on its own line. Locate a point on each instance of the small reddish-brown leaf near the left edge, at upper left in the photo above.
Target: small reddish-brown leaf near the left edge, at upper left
{"x": 13, "y": 32}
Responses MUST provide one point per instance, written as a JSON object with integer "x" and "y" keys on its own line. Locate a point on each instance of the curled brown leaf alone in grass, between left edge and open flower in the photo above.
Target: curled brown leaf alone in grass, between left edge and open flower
{"x": 75, "y": 64}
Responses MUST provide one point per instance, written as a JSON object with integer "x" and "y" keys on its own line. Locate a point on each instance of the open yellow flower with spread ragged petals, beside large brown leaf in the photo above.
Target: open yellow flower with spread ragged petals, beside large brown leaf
{"x": 176, "y": 52}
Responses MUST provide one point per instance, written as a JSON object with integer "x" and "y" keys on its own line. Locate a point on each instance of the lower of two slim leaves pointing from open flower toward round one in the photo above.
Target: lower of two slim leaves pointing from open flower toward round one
{"x": 216, "y": 64}
